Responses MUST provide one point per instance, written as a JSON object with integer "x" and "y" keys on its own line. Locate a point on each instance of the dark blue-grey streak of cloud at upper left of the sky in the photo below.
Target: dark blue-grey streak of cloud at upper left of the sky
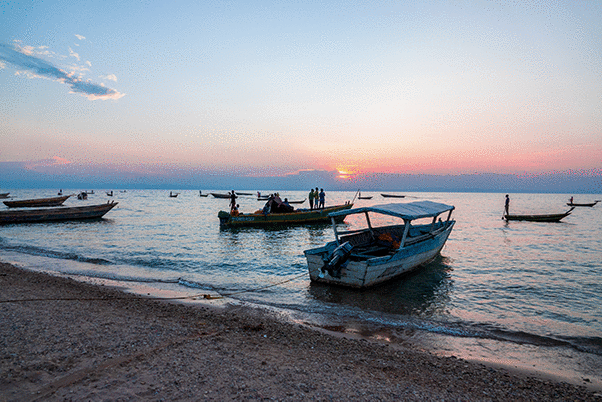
{"x": 40, "y": 68}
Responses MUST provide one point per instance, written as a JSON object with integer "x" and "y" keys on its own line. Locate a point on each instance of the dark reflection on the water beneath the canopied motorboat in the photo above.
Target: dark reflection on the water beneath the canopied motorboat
{"x": 424, "y": 293}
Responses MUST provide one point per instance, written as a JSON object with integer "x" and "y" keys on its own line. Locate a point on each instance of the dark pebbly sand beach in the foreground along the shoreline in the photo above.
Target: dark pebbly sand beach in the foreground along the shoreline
{"x": 64, "y": 340}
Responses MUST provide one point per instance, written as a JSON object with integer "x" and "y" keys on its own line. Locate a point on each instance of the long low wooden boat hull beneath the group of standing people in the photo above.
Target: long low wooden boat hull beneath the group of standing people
{"x": 298, "y": 217}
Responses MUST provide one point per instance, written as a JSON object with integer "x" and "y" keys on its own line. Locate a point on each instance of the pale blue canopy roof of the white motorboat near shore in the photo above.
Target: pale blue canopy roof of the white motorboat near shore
{"x": 406, "y": 211}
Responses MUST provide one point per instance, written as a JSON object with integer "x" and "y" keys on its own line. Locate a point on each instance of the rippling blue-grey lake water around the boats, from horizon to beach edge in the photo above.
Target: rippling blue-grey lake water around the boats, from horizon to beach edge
{"x": 521, "y": 293}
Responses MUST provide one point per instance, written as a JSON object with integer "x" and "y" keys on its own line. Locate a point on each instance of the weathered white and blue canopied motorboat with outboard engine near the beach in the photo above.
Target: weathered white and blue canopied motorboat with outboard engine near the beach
{"x": 373, "y": 255}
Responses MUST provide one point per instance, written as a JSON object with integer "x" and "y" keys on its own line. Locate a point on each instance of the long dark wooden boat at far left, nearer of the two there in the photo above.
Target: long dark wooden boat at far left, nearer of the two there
{"x": 55, "y": 214}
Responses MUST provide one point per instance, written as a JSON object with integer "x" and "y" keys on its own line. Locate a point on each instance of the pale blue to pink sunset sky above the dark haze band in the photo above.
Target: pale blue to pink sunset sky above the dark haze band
{"x": 263, "y": 88}
